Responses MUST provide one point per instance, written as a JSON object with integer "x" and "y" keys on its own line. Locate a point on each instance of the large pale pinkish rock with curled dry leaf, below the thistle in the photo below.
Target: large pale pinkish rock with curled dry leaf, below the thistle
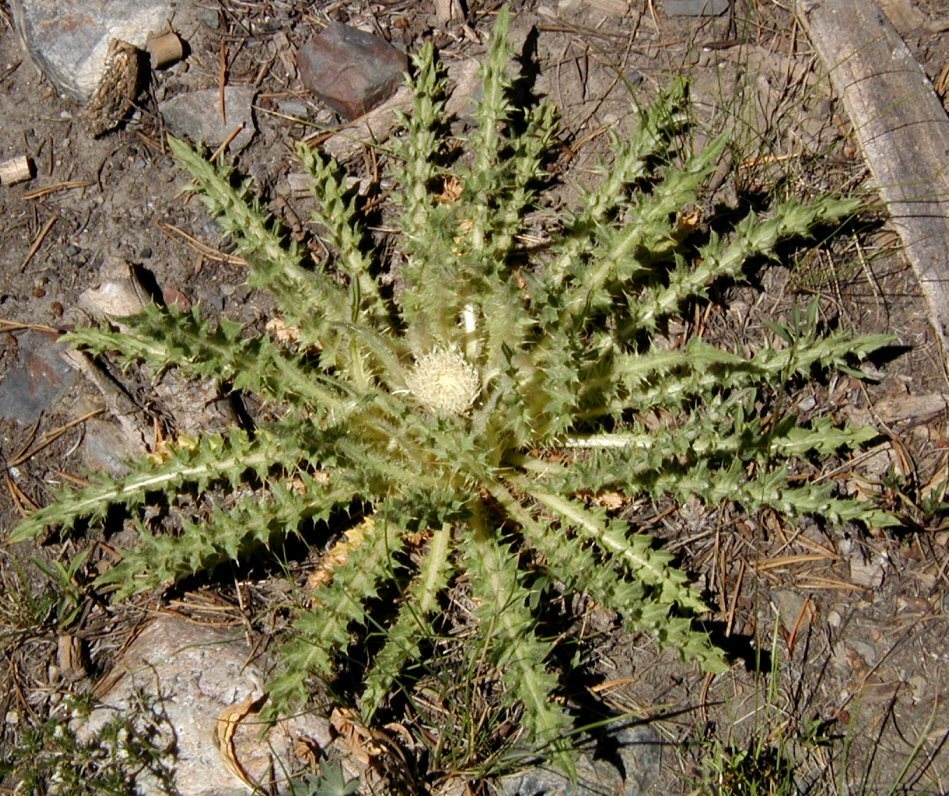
{"x": 189, "y": 686}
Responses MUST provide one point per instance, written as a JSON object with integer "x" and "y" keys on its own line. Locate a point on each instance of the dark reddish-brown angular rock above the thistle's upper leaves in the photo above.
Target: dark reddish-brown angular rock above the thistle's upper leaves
{"x": 350, "y": 70}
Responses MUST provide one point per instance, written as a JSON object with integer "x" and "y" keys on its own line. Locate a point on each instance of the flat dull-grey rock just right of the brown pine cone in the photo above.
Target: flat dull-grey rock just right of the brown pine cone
{"x": 197, "y": 116}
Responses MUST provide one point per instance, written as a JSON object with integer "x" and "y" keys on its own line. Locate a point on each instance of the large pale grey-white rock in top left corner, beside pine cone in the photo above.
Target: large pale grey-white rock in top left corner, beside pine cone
{"x": 69, "y": 40}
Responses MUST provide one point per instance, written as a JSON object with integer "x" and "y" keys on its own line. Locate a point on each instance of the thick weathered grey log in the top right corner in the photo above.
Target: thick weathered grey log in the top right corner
{"x": 902, "y": 129}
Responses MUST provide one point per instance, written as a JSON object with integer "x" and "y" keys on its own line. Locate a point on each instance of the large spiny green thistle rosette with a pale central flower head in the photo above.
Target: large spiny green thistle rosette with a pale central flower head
{"x": 470, "y": 399}
